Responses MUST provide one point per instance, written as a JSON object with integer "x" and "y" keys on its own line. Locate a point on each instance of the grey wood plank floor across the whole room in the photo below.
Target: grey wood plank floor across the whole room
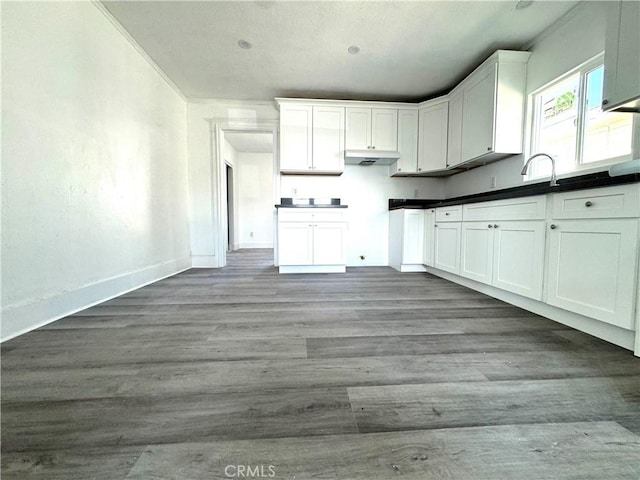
{"x": 372, "y": 374}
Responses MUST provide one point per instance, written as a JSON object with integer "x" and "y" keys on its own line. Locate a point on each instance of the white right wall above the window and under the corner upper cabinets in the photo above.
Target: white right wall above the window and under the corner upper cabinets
{"x": 574, "y": 39}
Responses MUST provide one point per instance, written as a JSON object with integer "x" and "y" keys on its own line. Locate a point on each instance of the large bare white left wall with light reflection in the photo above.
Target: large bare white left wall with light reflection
{"x": 94, "y": 164}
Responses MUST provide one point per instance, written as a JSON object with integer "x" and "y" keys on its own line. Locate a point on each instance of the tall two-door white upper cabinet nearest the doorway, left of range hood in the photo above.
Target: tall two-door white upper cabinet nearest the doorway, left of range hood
{"x": 311, "y": 138}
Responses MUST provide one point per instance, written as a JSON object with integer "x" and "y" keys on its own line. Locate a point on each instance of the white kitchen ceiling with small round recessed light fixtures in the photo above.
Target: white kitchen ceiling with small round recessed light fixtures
{"x": 408, "y": 50}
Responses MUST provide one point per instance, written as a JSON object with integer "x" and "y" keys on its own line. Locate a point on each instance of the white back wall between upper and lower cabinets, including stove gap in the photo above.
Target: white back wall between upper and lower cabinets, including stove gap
{"x": 366, "y": 190}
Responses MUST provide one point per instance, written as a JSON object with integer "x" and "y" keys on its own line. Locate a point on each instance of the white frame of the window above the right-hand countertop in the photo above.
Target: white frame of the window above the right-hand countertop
{"x": 579, "y": 166}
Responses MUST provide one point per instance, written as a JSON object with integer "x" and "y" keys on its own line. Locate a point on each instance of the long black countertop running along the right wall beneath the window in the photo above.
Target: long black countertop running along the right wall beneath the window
{"x": 581, "y": 182}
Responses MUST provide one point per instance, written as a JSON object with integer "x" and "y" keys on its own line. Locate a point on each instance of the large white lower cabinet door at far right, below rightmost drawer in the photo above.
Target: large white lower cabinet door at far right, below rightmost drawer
{"x": 592, "y": 269}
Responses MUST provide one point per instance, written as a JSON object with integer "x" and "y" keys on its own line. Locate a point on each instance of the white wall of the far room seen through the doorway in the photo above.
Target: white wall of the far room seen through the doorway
{"x": 255, "y": 199}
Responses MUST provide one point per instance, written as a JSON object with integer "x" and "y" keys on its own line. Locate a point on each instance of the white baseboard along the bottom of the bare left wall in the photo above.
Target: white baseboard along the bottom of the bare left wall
{"x": 22, "y": 318}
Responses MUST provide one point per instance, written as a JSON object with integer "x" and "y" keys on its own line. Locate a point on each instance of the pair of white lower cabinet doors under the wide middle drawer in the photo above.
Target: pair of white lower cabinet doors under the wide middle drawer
{"x": 506, "y": 254}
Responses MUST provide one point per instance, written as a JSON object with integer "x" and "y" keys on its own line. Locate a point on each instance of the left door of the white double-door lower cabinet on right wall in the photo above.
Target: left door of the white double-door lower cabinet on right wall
{"x": 476, "y": 257}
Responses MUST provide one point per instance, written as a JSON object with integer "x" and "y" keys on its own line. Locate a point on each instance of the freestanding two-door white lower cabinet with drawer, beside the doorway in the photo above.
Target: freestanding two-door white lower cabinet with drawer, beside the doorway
{"x": 308, "y": 242}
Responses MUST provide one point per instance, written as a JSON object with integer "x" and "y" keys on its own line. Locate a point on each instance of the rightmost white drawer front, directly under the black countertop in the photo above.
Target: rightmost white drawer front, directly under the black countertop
{"x": 610, "y": 202}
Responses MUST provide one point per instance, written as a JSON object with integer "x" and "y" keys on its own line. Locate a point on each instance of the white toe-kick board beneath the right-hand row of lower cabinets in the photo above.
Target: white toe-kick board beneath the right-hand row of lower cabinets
{"x": 616, "y": 335}
